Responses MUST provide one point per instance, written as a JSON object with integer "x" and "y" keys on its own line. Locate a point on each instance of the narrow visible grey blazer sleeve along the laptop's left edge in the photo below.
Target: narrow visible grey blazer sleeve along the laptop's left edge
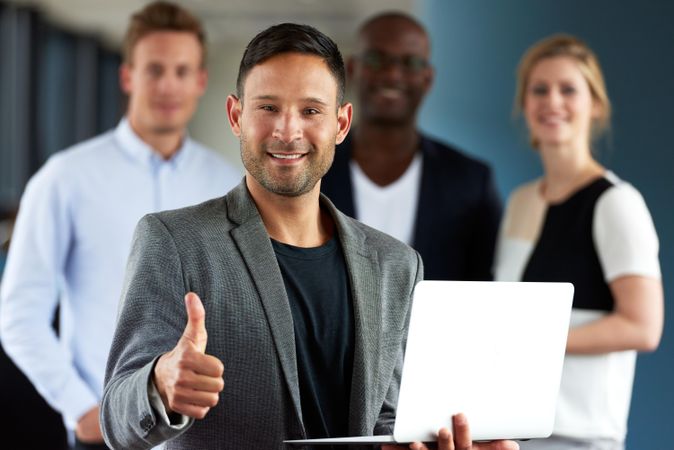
{"x": 387, "y": 415}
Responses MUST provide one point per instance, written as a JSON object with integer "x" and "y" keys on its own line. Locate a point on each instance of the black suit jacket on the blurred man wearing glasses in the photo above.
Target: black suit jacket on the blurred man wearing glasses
{"x": 458, "y": 212}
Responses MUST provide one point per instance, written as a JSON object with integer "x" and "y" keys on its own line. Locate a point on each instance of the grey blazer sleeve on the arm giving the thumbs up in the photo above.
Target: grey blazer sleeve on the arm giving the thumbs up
{"x": 151, "y": 320}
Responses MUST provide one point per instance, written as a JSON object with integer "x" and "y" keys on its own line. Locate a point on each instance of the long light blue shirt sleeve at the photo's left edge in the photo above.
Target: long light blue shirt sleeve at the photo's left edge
{"x": 30, "y": 291}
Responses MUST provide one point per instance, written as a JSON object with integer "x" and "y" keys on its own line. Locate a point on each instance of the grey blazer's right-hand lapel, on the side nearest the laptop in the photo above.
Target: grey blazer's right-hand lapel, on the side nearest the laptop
{"x": 364, "y": 276}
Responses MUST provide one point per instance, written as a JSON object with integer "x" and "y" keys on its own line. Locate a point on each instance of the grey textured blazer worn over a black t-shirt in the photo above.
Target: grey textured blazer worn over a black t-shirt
{"x": 221, "y": 250}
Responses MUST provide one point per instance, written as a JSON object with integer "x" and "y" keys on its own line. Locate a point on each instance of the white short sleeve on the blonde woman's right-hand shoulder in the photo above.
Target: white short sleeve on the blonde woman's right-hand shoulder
{"x": 624, "y": 234}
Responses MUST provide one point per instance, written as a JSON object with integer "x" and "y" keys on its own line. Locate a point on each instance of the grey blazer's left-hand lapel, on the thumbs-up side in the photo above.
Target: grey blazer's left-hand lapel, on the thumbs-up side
{"x": 255, "y": 246}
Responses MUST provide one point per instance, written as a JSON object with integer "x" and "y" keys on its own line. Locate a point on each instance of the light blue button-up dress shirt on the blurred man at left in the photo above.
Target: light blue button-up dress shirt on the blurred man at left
{"x": 69, "y": 247}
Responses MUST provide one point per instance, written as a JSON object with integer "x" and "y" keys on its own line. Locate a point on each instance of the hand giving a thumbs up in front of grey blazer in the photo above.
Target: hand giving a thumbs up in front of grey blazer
{"x": 187, "y": 379}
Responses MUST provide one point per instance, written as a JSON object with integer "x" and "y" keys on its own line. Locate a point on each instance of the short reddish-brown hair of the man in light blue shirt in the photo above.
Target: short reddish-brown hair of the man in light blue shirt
{"x": 162, "y": 16}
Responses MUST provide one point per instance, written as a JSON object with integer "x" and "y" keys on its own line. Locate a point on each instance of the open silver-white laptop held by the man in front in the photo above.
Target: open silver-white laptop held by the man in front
{"x": 492, "y": 350}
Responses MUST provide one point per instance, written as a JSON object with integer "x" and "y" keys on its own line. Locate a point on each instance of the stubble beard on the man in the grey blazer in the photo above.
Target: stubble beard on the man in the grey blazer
{"x": 283, "y": 182}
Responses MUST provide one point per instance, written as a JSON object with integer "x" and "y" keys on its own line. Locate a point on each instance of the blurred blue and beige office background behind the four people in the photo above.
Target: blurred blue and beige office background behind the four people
{"x": 58, "y": 86}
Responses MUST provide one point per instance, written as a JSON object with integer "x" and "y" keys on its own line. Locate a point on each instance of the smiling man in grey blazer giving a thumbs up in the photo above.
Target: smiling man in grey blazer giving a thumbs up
{"x": 300, "y": 301}
